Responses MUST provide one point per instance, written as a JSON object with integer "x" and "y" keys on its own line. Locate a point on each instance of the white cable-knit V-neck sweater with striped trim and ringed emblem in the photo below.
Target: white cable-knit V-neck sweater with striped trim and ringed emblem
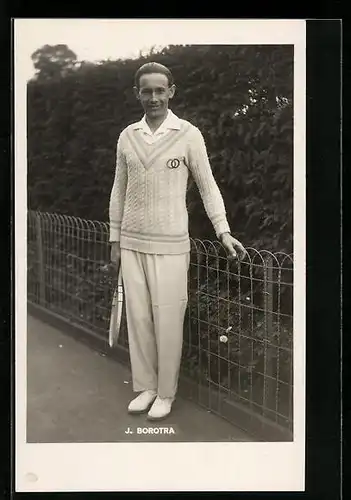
{"x": 148, "y": 210}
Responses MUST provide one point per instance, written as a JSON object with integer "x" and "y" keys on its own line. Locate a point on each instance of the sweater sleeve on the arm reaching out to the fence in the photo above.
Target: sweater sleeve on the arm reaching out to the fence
{"x": 201, "y": 171}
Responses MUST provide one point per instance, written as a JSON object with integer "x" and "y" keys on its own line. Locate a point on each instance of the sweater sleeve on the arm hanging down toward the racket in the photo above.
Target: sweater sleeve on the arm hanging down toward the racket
{"x": 118, "y": 193}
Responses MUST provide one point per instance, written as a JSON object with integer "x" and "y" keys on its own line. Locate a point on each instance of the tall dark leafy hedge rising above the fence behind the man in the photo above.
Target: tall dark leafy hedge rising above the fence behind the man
{"x": 239, "y": 96}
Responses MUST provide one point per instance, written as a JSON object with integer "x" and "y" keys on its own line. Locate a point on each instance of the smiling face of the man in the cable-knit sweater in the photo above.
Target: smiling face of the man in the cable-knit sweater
{"x": 154, "y": 93}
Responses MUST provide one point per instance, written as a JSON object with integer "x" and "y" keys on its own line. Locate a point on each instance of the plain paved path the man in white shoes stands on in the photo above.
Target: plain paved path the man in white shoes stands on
{"x": 77, "y": 395}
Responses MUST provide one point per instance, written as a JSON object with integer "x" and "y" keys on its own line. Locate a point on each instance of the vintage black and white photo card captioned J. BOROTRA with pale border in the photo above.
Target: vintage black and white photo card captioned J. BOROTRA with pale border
{"x": 160, "y": 208}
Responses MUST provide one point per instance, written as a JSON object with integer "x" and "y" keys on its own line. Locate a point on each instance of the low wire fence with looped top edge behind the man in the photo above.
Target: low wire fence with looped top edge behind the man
{"x": 238, "y": 332}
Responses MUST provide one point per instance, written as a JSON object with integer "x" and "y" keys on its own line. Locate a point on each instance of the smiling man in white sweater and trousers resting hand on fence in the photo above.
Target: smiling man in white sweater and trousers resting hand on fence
{"x": 149, "y": 234}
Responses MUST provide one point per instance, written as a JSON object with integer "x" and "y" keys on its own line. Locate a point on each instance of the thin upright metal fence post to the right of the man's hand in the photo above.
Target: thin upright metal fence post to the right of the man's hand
{"x": 269, "y": 382}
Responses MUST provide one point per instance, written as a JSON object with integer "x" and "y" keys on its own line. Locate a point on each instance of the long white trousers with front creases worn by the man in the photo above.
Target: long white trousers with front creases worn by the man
{"x": 156, "y": 299}
